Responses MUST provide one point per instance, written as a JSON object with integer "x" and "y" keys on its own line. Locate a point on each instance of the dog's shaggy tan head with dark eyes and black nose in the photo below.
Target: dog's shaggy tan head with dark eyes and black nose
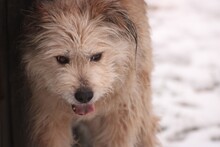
{"x": 79, "y": 50}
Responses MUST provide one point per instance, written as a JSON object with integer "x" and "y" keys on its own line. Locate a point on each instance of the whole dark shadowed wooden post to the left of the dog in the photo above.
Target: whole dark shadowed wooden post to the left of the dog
{"x": 11, "y": 102}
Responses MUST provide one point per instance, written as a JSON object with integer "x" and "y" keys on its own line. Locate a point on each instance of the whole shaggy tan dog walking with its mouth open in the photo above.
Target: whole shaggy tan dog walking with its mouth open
{"x": 89, "y": 62}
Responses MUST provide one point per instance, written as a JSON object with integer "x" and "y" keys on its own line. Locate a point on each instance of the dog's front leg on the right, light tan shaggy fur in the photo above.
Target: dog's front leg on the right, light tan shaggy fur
{"x": 116, "y": 130}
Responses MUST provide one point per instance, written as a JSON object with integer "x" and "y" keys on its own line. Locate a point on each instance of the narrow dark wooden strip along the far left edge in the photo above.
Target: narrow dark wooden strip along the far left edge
{"x": 4, "y": 110}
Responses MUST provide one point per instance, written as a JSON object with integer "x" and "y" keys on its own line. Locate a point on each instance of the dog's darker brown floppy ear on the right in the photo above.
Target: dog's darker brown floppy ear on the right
{"x": 115, "y": 14}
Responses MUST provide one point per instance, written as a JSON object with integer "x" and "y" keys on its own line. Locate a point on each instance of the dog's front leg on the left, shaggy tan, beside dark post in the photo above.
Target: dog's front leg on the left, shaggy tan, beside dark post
{"x": 50, "y": 122}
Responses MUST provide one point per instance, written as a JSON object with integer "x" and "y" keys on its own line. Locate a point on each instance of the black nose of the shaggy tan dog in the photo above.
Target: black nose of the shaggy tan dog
{"x": 84, "y": 95}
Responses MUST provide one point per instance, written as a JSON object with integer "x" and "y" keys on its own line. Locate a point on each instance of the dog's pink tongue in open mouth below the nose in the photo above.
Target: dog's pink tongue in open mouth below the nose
{"x": 83, "y": 109}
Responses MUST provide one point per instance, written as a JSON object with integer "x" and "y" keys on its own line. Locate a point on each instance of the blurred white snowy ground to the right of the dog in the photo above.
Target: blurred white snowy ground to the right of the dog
{"x": 186, "y": 79}
